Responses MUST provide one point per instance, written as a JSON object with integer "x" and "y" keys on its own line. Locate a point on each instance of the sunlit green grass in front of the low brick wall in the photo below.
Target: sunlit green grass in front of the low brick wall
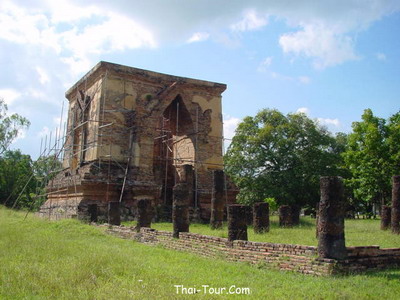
{"x": 66, "y": 259}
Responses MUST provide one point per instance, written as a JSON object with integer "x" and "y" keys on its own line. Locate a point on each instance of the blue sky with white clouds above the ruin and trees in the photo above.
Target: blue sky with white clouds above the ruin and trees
{"x": 329, "y": 59}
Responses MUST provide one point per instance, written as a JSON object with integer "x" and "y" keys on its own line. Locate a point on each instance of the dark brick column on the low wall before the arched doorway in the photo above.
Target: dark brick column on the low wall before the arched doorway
{"x": 180, "y": 209}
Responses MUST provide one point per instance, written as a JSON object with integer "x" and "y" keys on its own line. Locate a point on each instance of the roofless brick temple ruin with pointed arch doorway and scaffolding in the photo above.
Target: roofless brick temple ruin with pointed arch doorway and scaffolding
{"x": 131, "y": 134}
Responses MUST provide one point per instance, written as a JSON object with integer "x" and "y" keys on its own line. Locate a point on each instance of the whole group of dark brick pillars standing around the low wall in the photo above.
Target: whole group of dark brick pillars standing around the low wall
{"x": 330, "y": 224}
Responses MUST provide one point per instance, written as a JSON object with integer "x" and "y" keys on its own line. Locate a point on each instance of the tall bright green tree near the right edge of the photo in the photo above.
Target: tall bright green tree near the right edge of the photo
{"x": 368, "y": 158}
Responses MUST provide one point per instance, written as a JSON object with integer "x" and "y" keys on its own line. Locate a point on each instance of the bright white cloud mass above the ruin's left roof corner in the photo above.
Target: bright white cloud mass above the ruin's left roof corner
{"x": 77, "y": 45}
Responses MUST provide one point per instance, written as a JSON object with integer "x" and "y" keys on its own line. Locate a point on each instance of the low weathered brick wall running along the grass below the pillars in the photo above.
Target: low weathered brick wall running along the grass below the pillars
{"x": 288, "y": 257}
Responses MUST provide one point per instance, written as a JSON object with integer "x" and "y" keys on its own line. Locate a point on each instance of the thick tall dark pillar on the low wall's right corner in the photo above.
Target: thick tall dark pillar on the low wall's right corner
{"x": 331, "y": 241}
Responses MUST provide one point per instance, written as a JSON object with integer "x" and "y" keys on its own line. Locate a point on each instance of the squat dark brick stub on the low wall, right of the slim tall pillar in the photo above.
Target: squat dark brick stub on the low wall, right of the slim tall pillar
{"x": 237, "y": 227}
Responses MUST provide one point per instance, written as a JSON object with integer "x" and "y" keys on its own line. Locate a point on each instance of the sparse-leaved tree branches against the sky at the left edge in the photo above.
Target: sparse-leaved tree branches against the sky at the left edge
{"x": 10, "y": 126}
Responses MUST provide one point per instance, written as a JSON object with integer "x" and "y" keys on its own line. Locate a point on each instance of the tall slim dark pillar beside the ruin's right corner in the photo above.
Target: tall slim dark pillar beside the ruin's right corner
{"x": 217, "y": 200}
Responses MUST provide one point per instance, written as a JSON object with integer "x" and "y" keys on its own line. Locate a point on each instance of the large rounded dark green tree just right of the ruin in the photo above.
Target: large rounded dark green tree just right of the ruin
{"x": 282, "y": 157}
